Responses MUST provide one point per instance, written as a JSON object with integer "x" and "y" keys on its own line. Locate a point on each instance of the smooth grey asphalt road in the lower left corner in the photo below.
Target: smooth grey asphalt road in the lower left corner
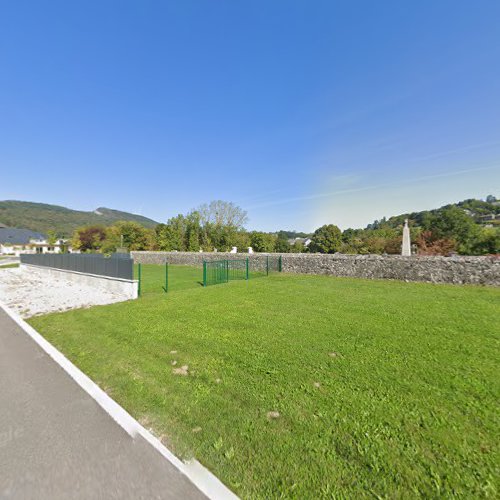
{"x": 56, "y": 442}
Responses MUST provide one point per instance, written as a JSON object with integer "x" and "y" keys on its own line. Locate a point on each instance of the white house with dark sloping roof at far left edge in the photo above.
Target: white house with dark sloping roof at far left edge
{"x": 15, "y": 241}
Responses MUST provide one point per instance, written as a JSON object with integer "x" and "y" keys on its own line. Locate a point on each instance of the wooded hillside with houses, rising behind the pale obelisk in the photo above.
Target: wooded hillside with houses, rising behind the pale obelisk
{"x": 485, "y": 212}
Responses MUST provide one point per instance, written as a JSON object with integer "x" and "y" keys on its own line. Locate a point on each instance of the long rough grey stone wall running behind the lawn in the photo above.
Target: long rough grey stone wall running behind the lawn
{"x": 456, "y": 270}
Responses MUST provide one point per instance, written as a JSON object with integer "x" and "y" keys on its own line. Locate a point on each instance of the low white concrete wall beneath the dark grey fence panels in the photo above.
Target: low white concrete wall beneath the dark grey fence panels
{"x": 126, "y": 288}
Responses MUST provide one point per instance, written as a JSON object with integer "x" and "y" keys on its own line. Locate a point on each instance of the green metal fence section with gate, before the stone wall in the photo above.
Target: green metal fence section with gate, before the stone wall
{"x": 216, "y": 272}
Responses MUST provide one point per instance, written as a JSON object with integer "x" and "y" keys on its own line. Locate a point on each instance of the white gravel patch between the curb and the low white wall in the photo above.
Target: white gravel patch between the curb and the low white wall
{"x": 31, "y": 292}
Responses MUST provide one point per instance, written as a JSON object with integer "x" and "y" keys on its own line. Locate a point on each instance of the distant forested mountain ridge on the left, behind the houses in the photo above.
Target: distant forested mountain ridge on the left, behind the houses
{"x": 42, "y": 218}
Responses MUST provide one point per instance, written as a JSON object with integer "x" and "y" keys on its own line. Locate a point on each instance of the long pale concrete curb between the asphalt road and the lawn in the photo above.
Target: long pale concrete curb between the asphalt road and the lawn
{"x": 201, "y": 477}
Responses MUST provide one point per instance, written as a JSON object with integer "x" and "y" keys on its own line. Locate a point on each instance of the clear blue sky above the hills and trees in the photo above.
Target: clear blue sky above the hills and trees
{"x": 302, "y": 112}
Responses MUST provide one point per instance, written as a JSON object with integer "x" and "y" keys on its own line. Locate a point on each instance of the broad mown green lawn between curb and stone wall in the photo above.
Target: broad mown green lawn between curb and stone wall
{"x": 383, "y": 389}
